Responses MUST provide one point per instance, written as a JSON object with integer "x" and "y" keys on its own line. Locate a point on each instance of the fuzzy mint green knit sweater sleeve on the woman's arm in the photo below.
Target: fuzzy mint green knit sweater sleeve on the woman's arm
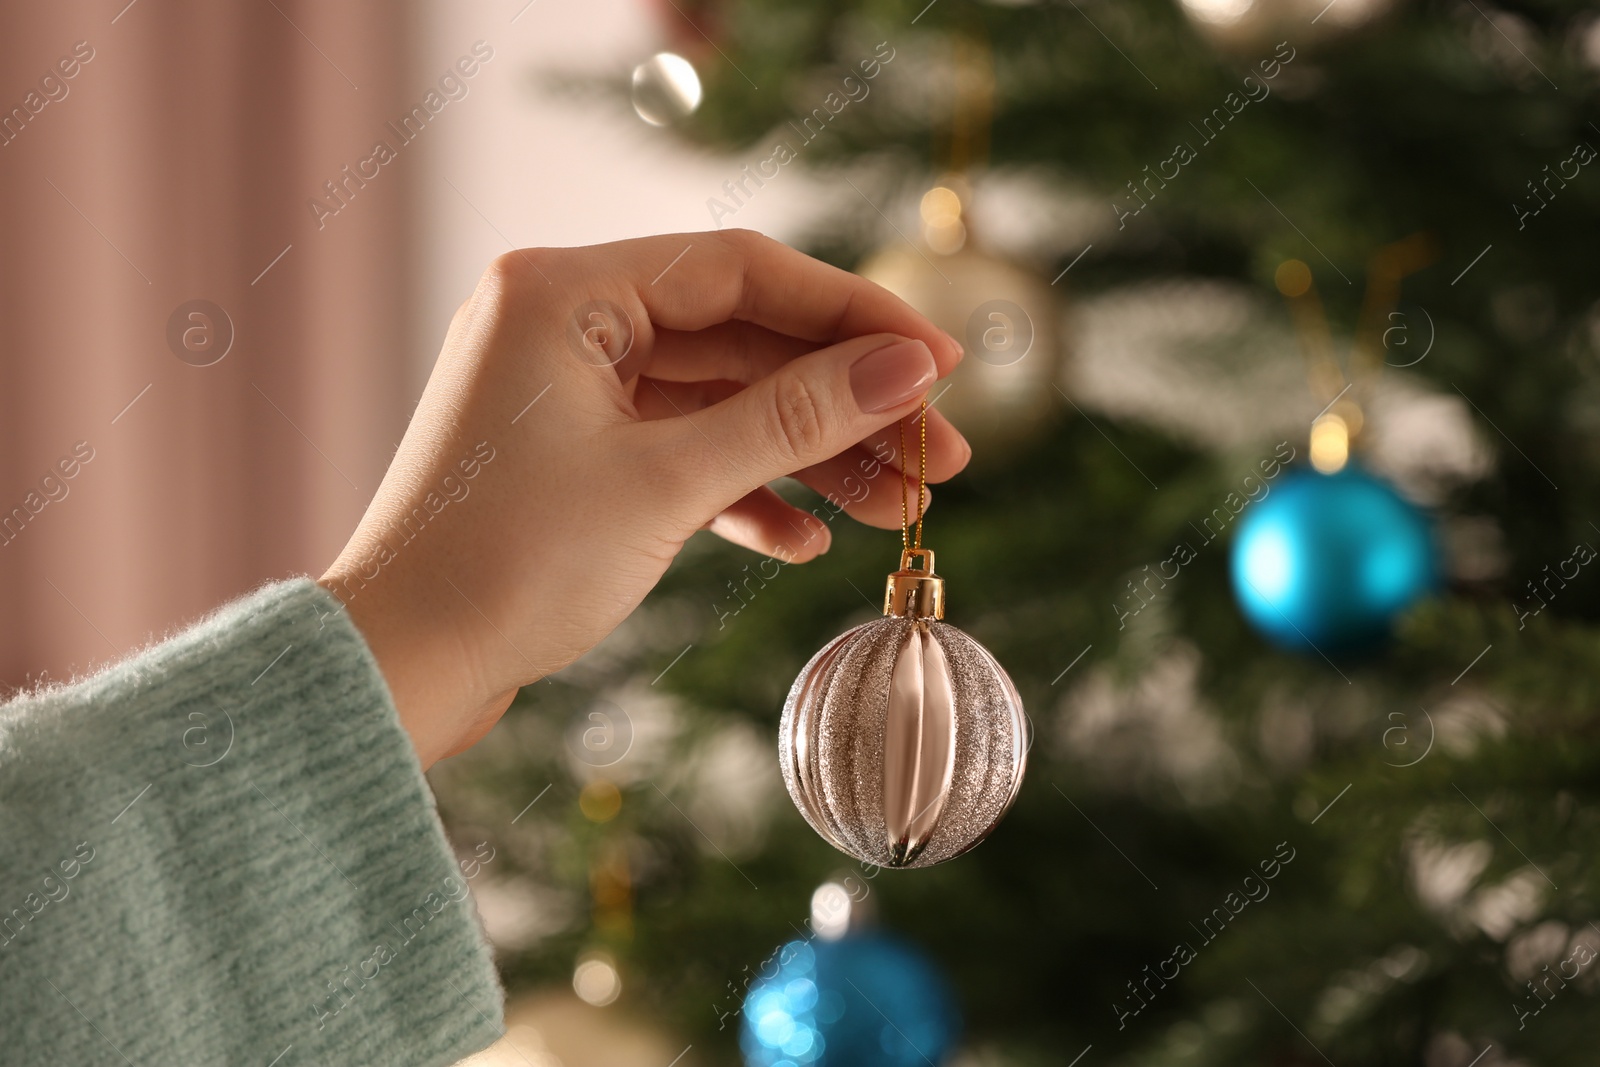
{"x": 223, "y": 852}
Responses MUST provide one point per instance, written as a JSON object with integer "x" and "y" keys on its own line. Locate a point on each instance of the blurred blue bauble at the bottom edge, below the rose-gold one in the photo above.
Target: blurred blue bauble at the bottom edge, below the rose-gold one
{"x": 866, "y": 1001}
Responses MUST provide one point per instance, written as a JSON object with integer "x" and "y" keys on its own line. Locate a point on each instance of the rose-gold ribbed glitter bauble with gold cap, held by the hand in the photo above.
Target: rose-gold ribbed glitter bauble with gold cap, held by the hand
{"x": 903, "y": 741}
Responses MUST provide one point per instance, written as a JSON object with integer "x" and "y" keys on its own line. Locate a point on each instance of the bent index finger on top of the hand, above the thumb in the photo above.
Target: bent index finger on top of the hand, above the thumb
{"x": 697, "y": 281}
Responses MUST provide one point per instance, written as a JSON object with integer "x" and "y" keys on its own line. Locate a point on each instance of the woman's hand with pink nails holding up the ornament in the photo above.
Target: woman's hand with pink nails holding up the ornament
{"x": 591, "y": 410}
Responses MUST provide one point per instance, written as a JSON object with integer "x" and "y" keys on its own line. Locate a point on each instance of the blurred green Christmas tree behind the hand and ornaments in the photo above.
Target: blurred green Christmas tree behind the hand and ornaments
{"x": 1223, "y": 852}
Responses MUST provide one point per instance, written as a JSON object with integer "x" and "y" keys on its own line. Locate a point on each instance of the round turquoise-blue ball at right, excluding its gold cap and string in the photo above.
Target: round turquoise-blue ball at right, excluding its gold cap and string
{"x": 1329, "y": 562}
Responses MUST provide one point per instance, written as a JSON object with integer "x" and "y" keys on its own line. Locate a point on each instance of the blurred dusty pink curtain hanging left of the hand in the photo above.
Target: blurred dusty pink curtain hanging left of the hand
{"x": 153, "y": 156}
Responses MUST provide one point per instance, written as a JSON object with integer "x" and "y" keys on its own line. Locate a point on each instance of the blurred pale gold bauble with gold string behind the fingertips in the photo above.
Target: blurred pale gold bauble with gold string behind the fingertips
{"x": 1004, "y": 393}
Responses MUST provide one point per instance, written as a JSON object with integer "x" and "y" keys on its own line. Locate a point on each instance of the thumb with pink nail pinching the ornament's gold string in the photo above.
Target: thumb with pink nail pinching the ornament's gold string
{"x": 809, "y": 410}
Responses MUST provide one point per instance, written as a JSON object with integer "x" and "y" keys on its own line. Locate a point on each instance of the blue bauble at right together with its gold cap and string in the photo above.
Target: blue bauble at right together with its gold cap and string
{"x": 1335, "y": 556}
